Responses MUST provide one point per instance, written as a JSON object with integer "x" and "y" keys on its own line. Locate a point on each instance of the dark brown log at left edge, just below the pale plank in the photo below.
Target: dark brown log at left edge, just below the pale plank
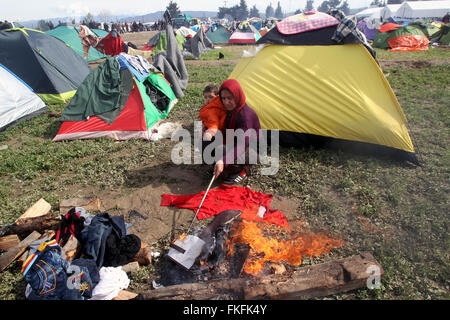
{"x": 29, "y": 225}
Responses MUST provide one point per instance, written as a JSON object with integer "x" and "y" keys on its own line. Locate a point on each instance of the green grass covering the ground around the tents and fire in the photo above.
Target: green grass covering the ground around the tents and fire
{"x": 396, "y": 211}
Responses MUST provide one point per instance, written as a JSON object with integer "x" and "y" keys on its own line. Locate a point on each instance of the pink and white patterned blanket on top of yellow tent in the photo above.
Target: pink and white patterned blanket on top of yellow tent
{"x": 305, "y": 22}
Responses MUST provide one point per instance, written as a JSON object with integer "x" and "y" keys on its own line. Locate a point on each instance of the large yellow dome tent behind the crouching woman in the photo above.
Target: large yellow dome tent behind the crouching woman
{"x": 336, "y": 91}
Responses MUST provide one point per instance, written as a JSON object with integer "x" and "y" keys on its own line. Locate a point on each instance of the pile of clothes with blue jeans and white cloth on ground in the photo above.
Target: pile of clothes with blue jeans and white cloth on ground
{"x": 106, "y": 245}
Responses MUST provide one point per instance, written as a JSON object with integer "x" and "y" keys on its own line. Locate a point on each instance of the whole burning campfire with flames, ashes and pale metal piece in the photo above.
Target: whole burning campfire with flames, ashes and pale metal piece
{"x": 240, "y": 244}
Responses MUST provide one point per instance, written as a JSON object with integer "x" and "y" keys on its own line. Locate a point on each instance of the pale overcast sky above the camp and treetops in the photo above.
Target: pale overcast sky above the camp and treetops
{"x": 14, "y": 10}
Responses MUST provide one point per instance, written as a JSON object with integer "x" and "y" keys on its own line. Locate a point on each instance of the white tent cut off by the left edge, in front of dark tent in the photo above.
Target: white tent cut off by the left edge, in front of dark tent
{"x": 17, "y": 100}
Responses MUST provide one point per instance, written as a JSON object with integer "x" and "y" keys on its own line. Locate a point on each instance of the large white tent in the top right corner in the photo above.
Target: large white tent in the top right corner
{"x": 423, "y": 9}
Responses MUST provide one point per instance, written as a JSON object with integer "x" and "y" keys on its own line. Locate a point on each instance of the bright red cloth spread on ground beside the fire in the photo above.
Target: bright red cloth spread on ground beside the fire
{"x": 227, "y": 197}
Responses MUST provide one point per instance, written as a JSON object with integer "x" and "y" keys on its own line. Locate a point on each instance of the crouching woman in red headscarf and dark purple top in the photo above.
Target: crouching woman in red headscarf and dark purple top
{"x": 234, "y": 165}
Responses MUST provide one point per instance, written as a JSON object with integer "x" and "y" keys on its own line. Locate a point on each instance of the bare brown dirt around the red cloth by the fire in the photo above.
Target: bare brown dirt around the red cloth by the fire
{"x": 143, "y": 191}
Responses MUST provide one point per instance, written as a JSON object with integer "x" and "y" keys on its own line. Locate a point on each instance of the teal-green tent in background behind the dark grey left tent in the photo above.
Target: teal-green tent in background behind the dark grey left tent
{"x": 69, "y": 35}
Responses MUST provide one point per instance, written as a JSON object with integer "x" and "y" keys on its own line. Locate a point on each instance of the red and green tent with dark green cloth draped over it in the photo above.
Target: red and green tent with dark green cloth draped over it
{"x": 113, "y": 103}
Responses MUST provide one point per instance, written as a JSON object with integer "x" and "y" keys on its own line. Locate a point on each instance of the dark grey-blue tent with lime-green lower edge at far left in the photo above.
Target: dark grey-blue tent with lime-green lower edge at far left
{"x": 51, "y": 68}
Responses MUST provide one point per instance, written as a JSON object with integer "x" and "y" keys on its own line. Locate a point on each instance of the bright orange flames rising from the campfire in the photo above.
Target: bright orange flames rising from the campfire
{"x": 278, "y": 246}
